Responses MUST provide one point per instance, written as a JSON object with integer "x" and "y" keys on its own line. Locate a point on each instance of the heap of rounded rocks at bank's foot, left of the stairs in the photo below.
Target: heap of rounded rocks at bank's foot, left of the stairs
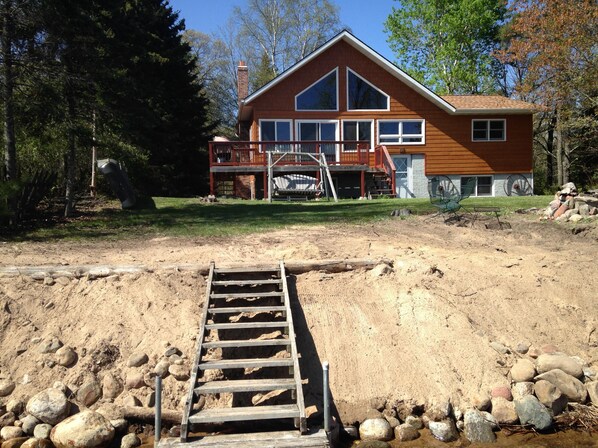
{"x": 91, "y": 412}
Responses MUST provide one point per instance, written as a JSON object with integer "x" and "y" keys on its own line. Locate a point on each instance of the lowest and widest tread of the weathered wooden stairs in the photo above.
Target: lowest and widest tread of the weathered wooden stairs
{"x": 245, "y": 413}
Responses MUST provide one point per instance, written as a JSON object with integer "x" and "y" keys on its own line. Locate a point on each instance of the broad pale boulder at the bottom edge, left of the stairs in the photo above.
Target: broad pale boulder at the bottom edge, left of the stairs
{"x": 87, "y": 429}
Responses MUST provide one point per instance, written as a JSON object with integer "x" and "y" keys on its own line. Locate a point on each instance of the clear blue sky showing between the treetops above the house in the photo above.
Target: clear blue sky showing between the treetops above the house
{"x": 365, "y": 18}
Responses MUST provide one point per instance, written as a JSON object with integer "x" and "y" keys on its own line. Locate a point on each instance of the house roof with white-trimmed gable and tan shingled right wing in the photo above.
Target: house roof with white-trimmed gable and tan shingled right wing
{"x": 461, "y": 106}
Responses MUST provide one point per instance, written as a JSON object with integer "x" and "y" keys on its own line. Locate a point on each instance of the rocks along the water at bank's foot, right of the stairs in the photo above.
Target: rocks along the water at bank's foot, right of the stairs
{"x": 540, "y": 385}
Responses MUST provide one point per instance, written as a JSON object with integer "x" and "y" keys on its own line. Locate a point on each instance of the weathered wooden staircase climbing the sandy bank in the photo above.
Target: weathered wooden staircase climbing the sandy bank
{"x": 246, "y": 347}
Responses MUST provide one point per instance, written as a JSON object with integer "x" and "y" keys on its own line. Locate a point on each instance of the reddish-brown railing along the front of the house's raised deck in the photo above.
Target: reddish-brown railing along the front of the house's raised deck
{"x": 254, "y": 153}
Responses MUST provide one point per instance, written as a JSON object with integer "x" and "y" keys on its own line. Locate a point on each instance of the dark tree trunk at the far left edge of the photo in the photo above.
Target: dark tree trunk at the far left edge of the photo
{"x": 8, "y": 93}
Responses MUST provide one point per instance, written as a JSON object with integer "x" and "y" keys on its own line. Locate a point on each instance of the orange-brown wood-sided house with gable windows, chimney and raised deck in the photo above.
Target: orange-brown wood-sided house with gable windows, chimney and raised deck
{"x": 378, "y": 130}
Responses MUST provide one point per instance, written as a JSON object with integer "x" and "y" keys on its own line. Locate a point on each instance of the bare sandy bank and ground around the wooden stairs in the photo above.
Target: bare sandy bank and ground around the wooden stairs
{"x": 421, "y": 332}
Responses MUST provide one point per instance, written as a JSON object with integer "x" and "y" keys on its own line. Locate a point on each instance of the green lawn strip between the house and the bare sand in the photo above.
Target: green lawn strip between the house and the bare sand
{"x": 190, "y": 217}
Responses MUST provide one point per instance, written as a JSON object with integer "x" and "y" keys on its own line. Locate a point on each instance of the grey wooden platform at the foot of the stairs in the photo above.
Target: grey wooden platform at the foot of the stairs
{"x": 275, "y": 439}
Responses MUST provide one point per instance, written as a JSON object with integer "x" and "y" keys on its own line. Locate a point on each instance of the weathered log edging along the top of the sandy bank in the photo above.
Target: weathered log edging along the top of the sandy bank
{"x": 98, "y": 271}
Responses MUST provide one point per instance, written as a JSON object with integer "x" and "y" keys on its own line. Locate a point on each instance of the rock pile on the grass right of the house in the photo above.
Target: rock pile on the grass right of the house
{"x": 569, "y": 206}
